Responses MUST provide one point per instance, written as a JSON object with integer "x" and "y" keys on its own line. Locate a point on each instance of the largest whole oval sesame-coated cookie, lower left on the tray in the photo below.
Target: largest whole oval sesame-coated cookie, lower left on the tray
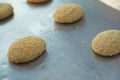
{"x": 26, "y": 49}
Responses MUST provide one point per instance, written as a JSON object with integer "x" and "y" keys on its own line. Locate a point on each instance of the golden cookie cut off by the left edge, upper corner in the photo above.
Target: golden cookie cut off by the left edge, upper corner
{"x": 6, "y": 10}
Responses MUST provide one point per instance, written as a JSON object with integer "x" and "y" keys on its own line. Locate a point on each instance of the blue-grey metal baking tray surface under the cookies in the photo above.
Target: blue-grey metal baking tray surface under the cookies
{"x": 68, "y": 55}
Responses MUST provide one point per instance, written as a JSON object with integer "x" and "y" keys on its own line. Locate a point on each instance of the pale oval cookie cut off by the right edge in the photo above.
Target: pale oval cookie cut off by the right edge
{"x": 107, "y": 43}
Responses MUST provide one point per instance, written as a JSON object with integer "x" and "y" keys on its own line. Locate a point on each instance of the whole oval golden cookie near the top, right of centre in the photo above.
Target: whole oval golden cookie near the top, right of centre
{"x": 68, "y": 13}
